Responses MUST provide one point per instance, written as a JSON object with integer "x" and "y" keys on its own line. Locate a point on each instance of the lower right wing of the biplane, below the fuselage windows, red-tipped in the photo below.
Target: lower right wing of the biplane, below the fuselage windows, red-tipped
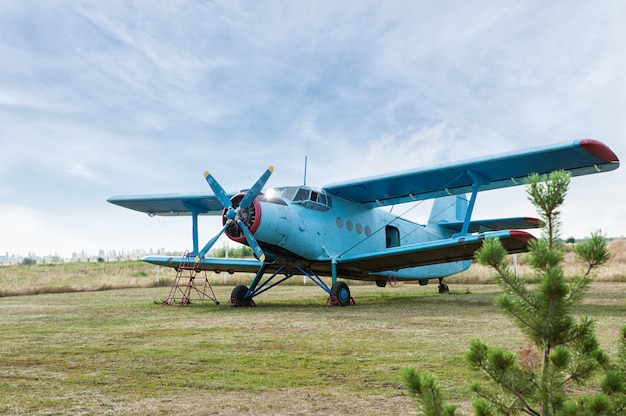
{"x": 434, "y": 252}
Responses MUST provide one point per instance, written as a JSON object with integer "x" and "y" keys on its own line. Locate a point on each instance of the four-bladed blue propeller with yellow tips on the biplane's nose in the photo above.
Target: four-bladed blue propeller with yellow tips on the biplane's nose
{"x": 234, "y": 214}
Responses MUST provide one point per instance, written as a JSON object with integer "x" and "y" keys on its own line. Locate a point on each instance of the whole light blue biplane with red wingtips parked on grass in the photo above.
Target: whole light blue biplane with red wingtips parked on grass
{"x": 339, "y": 230}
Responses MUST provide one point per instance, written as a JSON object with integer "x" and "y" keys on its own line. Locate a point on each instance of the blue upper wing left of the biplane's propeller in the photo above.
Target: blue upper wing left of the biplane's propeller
{"x": 171, "y": 204}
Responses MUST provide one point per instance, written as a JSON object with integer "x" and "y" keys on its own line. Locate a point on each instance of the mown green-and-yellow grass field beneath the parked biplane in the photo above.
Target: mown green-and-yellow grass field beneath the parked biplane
{"x": 119, "y": 351}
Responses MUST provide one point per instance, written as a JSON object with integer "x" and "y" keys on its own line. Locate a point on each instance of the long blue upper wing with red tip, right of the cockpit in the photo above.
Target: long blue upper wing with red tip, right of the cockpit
{"x": 581, "y": 157}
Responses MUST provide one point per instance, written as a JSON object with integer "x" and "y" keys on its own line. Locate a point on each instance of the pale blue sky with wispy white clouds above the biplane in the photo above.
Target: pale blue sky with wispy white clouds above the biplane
{"x": 130, "y": 97}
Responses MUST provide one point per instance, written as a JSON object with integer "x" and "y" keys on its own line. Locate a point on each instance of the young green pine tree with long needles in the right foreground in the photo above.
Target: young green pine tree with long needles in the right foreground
{"x": 562, "y": 350}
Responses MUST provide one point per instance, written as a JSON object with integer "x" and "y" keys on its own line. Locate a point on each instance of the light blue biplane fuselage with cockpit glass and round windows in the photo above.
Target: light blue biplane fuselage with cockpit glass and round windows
{"x": 303, "y": 224}
